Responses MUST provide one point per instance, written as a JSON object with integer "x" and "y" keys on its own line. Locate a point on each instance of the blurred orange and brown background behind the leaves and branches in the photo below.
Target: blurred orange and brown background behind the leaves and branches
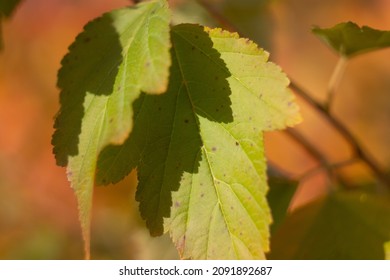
{"x": 38, "y": 211}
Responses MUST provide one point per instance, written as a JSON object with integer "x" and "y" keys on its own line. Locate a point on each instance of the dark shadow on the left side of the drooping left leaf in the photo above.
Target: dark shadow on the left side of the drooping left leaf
{"x": 89, "y": 68}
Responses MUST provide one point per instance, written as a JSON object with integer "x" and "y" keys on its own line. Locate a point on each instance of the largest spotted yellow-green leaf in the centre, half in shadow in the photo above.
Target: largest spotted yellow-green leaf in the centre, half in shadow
{"x": 199, "y": 147}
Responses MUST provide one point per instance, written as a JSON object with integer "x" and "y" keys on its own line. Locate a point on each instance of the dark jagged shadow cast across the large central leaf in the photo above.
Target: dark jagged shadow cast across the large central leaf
{"x": 166, "y": 140}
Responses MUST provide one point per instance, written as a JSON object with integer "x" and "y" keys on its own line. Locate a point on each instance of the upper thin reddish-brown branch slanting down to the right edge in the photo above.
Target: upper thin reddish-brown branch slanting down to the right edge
{"x": 342, "y": 129}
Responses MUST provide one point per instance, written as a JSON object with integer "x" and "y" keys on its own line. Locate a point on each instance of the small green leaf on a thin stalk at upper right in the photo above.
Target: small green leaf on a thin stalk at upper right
{"x": 348, "y": 39}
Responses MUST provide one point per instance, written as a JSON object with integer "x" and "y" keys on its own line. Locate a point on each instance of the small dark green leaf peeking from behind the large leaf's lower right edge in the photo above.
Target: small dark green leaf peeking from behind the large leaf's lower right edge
{"x": 279, "y": 198}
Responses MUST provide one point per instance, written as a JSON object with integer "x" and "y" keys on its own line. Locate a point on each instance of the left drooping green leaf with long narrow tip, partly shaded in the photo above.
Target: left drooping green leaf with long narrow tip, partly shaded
{"x": 116, "y": 57}
